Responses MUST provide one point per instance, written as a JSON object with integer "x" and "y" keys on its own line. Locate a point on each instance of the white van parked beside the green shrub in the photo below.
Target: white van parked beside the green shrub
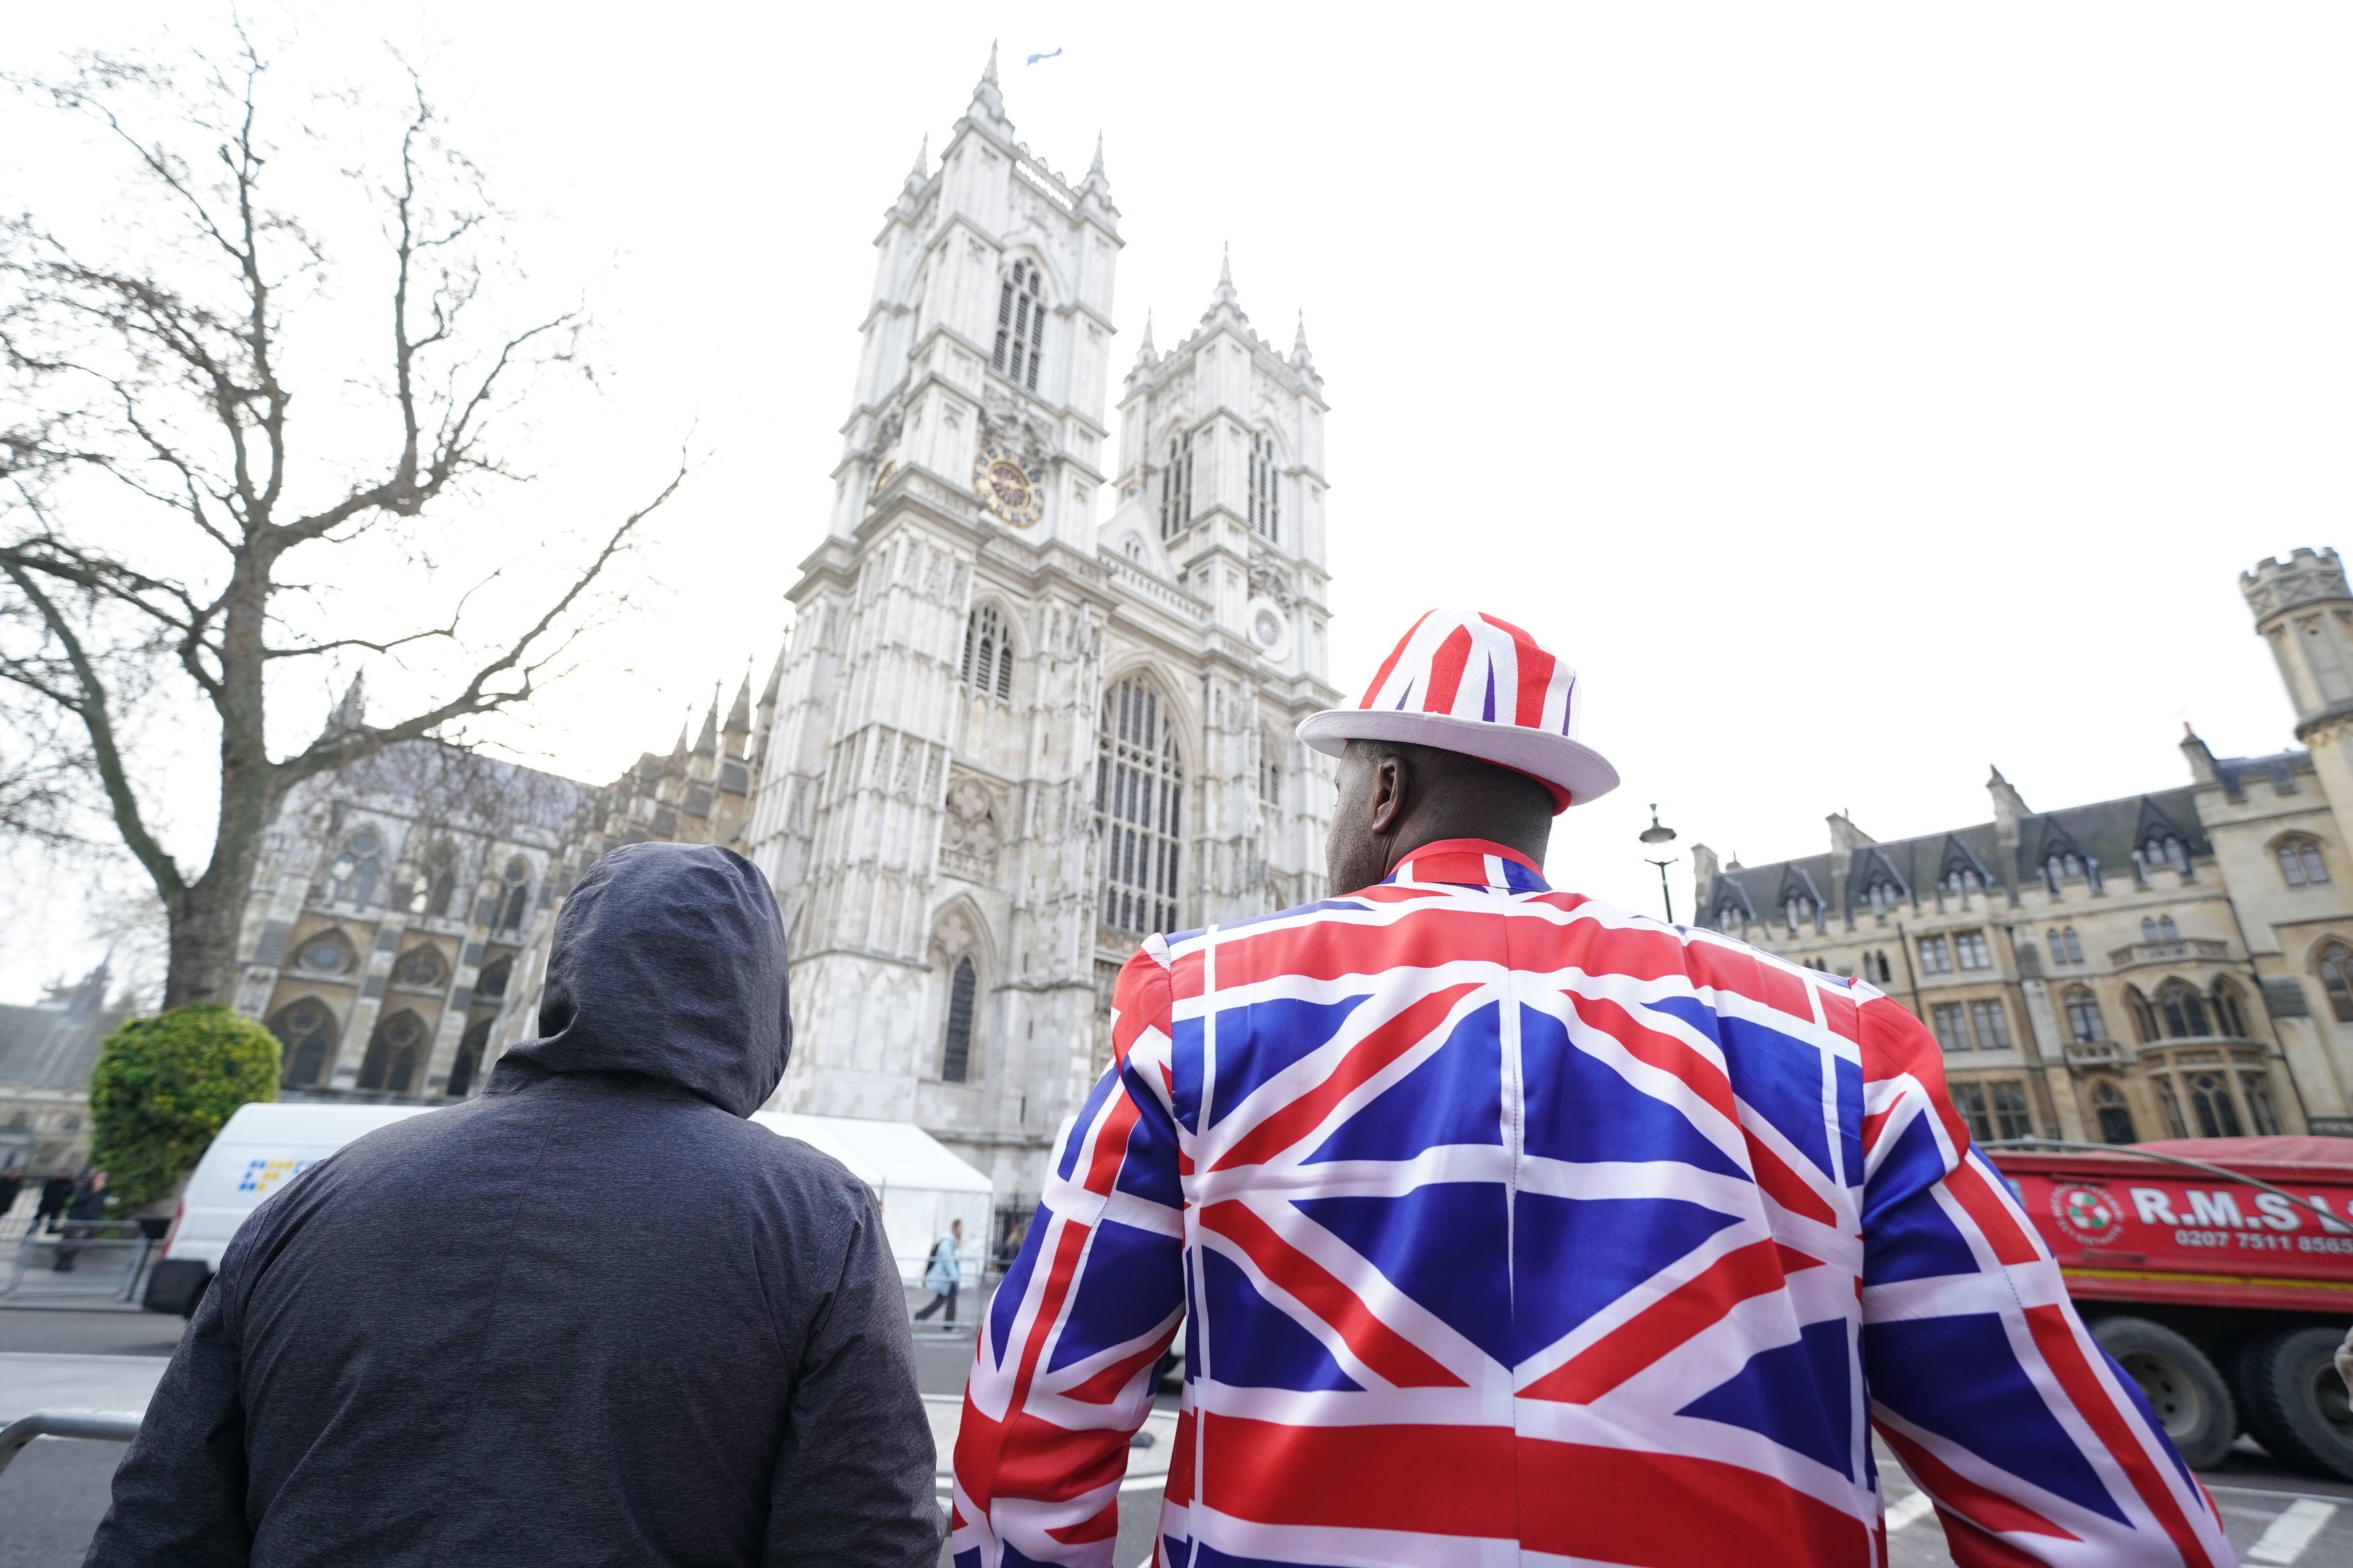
{"x": 258, "y": 1151}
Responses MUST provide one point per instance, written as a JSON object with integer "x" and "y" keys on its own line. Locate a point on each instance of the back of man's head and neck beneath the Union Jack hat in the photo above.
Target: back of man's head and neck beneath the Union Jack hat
{"x": 1397, "y": 798}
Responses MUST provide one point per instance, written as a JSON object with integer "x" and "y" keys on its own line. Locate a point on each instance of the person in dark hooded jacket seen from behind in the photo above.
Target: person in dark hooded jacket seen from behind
{"x": 589, "y": 1315}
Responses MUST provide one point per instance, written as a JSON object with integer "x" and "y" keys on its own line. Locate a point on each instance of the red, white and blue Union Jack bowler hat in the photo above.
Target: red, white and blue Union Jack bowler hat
{"x": 1477, "y": 685}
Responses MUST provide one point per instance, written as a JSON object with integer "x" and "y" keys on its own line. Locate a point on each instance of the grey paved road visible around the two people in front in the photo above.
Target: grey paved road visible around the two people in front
{"x": 55, "y": 1494}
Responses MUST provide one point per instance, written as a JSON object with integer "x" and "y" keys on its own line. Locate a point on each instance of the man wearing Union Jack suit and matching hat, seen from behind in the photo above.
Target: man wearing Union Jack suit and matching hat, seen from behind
{"x": 1514, "y": 1228}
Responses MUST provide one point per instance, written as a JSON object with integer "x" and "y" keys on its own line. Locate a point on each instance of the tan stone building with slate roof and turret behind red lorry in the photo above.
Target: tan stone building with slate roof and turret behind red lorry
{"x": 2152, "y": 967}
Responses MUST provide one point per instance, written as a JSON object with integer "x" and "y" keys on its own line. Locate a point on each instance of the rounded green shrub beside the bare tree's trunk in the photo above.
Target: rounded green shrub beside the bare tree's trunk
{"x": 164, "y": 1087}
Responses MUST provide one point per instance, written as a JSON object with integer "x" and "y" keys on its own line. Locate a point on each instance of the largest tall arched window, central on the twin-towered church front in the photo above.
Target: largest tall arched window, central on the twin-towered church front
{"x": 1140, "y": 810}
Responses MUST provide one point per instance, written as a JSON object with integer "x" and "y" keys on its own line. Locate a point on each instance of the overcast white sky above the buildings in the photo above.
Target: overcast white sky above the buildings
{"x": 1860, "y": 396}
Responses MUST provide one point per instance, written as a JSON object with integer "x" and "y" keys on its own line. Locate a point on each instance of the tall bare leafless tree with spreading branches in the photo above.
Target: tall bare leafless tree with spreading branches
{"x": 156, "y": 490}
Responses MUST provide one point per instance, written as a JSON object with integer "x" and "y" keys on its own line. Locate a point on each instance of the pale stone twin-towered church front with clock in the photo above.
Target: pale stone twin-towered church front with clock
{"x": 959, "y": 805}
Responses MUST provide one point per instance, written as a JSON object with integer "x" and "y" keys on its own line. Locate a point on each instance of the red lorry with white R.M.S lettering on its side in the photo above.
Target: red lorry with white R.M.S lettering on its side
{"x": 2218, "y": 1273}
